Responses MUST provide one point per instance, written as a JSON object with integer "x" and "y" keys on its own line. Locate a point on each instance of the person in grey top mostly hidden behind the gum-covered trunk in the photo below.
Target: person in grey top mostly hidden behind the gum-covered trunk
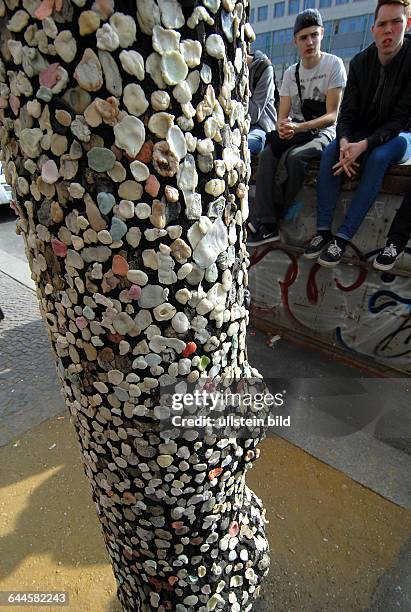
{"x": 262, "y": 103}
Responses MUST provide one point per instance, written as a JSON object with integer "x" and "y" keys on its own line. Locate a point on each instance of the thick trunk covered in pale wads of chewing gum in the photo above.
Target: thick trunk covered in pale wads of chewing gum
{"x": 124, "y": 136}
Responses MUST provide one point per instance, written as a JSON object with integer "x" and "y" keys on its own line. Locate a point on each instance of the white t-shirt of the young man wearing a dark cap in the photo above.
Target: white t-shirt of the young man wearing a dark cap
{"x": 329, "y": 73}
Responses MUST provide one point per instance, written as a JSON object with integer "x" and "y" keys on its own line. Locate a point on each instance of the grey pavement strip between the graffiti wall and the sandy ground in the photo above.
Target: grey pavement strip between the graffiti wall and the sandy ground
{"x": 357, "y": 423}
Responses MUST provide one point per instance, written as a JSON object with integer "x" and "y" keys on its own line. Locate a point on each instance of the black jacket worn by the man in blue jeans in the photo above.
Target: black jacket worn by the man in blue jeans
{"x": 393, "y": 112}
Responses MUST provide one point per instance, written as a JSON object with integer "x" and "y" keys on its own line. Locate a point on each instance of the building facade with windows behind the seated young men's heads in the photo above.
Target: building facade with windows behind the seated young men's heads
{"x": 347, "y": 25}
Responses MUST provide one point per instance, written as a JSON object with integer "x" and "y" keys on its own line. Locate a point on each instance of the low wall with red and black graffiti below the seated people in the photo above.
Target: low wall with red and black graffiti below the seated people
{"x": 361, "y": 310}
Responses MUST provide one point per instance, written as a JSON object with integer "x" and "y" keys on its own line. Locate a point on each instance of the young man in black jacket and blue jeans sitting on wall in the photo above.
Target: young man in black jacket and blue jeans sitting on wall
{"x": 375, "y": 114}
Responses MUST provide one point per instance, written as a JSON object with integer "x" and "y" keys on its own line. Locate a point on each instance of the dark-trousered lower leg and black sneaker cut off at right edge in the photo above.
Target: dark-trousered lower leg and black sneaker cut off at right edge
{"x": 398, "y": 236}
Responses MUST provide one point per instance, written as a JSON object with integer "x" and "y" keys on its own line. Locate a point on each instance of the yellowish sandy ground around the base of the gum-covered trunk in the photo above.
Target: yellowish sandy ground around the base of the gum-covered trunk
{"x": 331, "y": 539}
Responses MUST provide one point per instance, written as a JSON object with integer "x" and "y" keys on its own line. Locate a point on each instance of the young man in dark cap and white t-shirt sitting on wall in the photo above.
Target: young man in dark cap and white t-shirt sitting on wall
{"x": 310, "y": 96}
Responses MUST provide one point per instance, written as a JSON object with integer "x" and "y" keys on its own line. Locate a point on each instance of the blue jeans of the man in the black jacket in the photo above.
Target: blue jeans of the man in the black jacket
{"x": 374, "y": 166}
